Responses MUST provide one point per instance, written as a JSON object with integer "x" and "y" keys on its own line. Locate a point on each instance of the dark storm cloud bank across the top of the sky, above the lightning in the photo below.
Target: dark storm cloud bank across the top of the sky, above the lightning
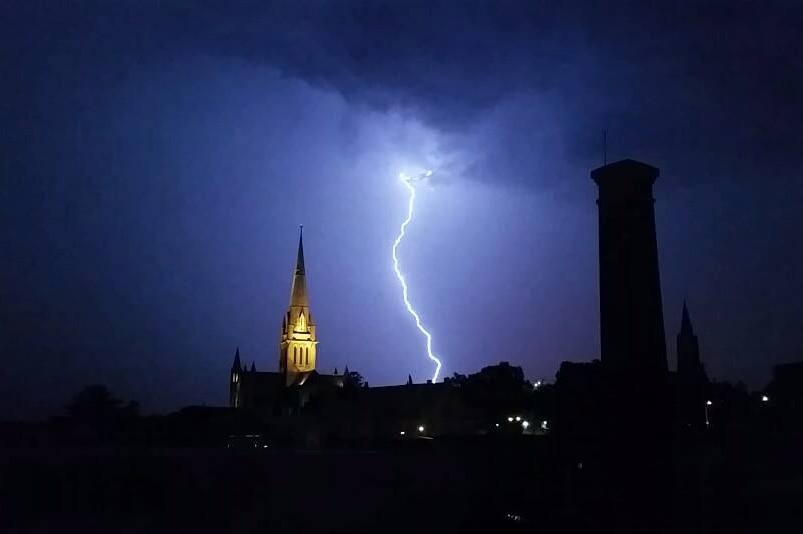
{"x": 709, "y": 88}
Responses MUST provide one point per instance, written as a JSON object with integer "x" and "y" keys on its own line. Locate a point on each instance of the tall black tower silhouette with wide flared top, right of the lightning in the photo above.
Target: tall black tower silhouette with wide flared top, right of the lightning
{"x": 633, "y": 346}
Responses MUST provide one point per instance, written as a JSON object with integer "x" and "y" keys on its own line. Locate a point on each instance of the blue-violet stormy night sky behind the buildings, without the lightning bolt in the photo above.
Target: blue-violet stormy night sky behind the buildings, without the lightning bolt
{"x": 156, "y": 159}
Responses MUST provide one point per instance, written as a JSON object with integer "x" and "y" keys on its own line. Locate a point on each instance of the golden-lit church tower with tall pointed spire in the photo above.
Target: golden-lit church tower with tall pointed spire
{"x": 297, "y": 348}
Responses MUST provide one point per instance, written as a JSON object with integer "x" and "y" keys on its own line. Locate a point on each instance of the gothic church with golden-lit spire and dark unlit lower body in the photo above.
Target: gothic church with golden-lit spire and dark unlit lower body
{"x": 290, "y": 388}
